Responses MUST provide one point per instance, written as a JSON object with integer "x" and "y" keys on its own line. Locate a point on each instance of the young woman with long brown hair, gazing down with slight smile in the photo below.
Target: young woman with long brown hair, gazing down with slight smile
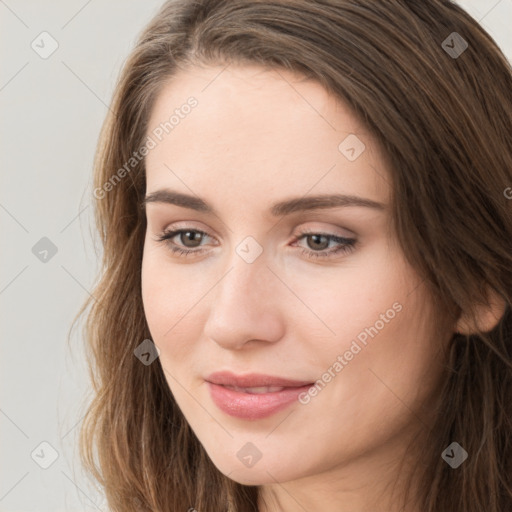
{"x": 305, "y": 300}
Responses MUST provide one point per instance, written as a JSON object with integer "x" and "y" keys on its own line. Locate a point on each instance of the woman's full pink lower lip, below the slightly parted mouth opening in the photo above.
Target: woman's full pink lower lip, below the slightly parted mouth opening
{"x": 253, "y": 406}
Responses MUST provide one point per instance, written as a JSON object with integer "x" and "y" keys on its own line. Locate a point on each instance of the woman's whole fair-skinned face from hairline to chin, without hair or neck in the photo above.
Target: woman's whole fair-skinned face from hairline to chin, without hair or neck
{"x": 286, "y": 278}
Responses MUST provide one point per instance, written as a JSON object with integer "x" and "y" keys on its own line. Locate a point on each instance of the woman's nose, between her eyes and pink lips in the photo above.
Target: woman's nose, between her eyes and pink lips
{"x": 245, "y": 306}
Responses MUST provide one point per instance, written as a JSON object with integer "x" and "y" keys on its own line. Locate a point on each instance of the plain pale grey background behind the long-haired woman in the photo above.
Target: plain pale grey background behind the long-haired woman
{"x": 52, "y": 111}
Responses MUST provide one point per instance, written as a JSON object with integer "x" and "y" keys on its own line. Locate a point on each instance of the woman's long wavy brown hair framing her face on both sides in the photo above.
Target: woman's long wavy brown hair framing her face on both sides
{"x": 444, "y": 120}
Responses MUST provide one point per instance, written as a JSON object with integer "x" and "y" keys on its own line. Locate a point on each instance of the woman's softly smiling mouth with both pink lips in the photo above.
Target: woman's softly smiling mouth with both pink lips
{"x": 253, "y": 396}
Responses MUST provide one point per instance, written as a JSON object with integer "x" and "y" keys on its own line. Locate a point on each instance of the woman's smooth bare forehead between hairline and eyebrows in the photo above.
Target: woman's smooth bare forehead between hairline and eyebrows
{"x": 259, "y": 132}
